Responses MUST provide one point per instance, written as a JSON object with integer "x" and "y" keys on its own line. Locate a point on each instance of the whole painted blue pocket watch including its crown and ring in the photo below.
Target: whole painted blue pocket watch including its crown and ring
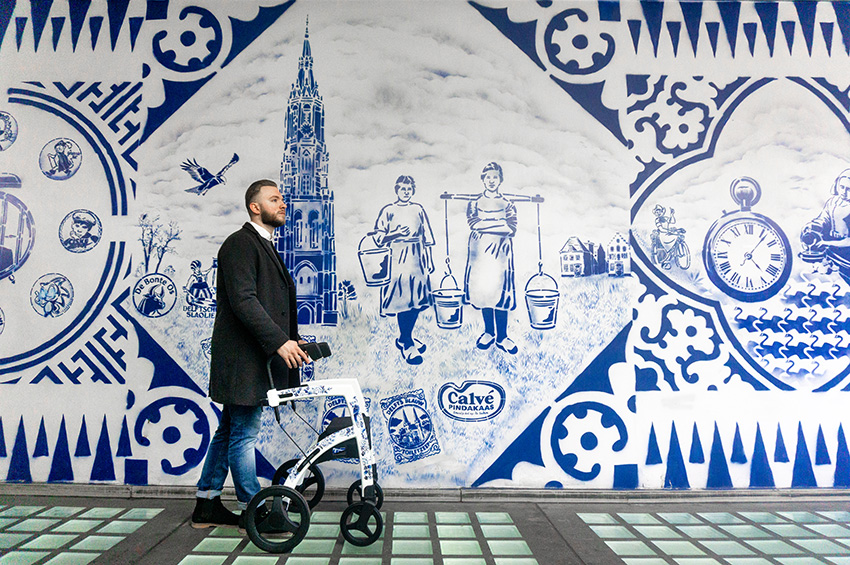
{"x": 746, "y": 254}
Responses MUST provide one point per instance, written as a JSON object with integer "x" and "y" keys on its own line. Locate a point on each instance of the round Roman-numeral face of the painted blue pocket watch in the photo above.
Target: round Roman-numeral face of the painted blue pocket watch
{"x": 749, "y": 257}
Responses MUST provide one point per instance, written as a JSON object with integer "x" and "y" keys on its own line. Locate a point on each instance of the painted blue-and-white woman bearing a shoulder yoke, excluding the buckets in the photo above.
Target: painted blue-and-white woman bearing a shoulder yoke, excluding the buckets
{"x": 489, "y": 279}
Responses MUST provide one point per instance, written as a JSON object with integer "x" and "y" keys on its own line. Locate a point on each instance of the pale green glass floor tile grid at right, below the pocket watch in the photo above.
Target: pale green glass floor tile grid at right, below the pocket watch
{"x": 734, "y": 538}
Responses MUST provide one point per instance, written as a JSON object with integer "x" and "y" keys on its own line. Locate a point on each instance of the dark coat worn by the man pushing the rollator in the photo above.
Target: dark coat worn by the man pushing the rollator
{"x": 255, "y": 314}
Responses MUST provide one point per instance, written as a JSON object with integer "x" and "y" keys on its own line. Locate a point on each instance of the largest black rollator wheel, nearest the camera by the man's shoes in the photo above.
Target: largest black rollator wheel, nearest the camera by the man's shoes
{"x": 282, "y": 520}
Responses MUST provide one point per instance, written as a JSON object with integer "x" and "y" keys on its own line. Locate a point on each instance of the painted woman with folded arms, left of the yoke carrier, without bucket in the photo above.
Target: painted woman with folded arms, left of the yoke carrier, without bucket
{"x": 404, "y": 226}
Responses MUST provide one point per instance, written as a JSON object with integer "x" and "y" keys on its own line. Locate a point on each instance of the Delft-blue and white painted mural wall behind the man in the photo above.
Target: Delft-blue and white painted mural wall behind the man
{"x": 668, "y": 256}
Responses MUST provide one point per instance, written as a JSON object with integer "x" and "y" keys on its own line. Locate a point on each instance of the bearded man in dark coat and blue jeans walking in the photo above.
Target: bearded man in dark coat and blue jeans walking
{"x": 256, "y": 319}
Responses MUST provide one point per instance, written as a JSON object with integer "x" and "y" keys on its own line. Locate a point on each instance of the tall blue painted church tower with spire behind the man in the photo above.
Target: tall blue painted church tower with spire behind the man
{"x": 307, "y": 242}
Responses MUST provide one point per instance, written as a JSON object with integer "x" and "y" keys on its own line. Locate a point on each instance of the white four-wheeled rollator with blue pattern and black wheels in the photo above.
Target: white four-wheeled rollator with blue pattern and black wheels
{"x": 287, "y": 510}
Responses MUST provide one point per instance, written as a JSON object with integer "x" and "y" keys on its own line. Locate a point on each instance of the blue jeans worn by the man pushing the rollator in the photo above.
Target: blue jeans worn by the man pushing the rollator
{"x": 232, "y": 447}
